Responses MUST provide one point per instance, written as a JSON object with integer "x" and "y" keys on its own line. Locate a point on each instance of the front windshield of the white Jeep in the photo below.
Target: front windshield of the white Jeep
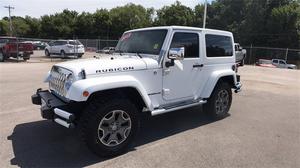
{"x": 142, "y": 42}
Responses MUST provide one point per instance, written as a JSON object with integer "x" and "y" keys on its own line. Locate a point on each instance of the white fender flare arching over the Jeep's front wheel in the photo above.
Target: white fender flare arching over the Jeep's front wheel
{"x": 105, "y": 83}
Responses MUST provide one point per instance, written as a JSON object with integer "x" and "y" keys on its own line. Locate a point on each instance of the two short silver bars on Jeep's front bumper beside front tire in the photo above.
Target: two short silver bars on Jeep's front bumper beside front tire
{"x": 65, "y": 115}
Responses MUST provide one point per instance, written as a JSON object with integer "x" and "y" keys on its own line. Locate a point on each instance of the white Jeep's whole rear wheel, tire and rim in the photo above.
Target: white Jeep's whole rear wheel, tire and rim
{"x": 219, "y": 102}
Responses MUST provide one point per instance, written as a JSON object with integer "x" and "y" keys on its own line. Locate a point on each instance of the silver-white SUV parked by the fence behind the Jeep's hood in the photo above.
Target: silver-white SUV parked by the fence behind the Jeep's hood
{"x": 65, "y": 48}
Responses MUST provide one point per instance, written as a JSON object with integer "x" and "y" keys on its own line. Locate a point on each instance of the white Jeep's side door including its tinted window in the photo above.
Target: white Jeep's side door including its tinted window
{"x": 183, "y": 80}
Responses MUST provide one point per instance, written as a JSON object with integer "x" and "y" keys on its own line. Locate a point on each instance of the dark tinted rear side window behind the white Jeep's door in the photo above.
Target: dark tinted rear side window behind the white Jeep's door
{"x": 218, "y": 46}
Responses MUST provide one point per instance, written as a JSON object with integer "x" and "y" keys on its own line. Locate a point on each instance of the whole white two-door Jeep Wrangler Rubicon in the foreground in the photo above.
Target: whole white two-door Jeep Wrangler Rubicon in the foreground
{"x": 155, "y": 70}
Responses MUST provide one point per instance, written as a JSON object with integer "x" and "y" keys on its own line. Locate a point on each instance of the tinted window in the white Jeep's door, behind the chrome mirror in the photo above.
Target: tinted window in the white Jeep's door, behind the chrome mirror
{"x": 190, "y": 42}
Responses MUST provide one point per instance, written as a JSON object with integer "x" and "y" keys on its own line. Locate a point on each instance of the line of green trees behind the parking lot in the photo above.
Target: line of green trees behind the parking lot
{"x": 273, "y": 23}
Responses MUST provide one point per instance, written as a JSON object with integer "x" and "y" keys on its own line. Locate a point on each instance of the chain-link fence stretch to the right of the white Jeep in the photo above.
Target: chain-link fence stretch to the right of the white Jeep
{"x": 291, "y": 56}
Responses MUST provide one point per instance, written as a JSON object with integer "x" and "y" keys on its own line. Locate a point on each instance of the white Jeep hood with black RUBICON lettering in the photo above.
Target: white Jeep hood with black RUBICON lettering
{"x": 105, "y": 64}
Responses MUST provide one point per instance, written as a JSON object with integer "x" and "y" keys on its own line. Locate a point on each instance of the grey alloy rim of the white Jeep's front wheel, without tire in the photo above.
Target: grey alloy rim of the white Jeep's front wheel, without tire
{"x": 114, "y": 128}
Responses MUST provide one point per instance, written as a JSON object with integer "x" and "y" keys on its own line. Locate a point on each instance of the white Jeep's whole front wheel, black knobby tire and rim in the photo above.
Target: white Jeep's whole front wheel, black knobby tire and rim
{"x": 109, "y": 127}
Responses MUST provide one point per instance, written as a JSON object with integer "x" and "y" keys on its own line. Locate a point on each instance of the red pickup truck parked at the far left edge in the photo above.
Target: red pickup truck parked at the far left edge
{"x": 12, "y": 47}
